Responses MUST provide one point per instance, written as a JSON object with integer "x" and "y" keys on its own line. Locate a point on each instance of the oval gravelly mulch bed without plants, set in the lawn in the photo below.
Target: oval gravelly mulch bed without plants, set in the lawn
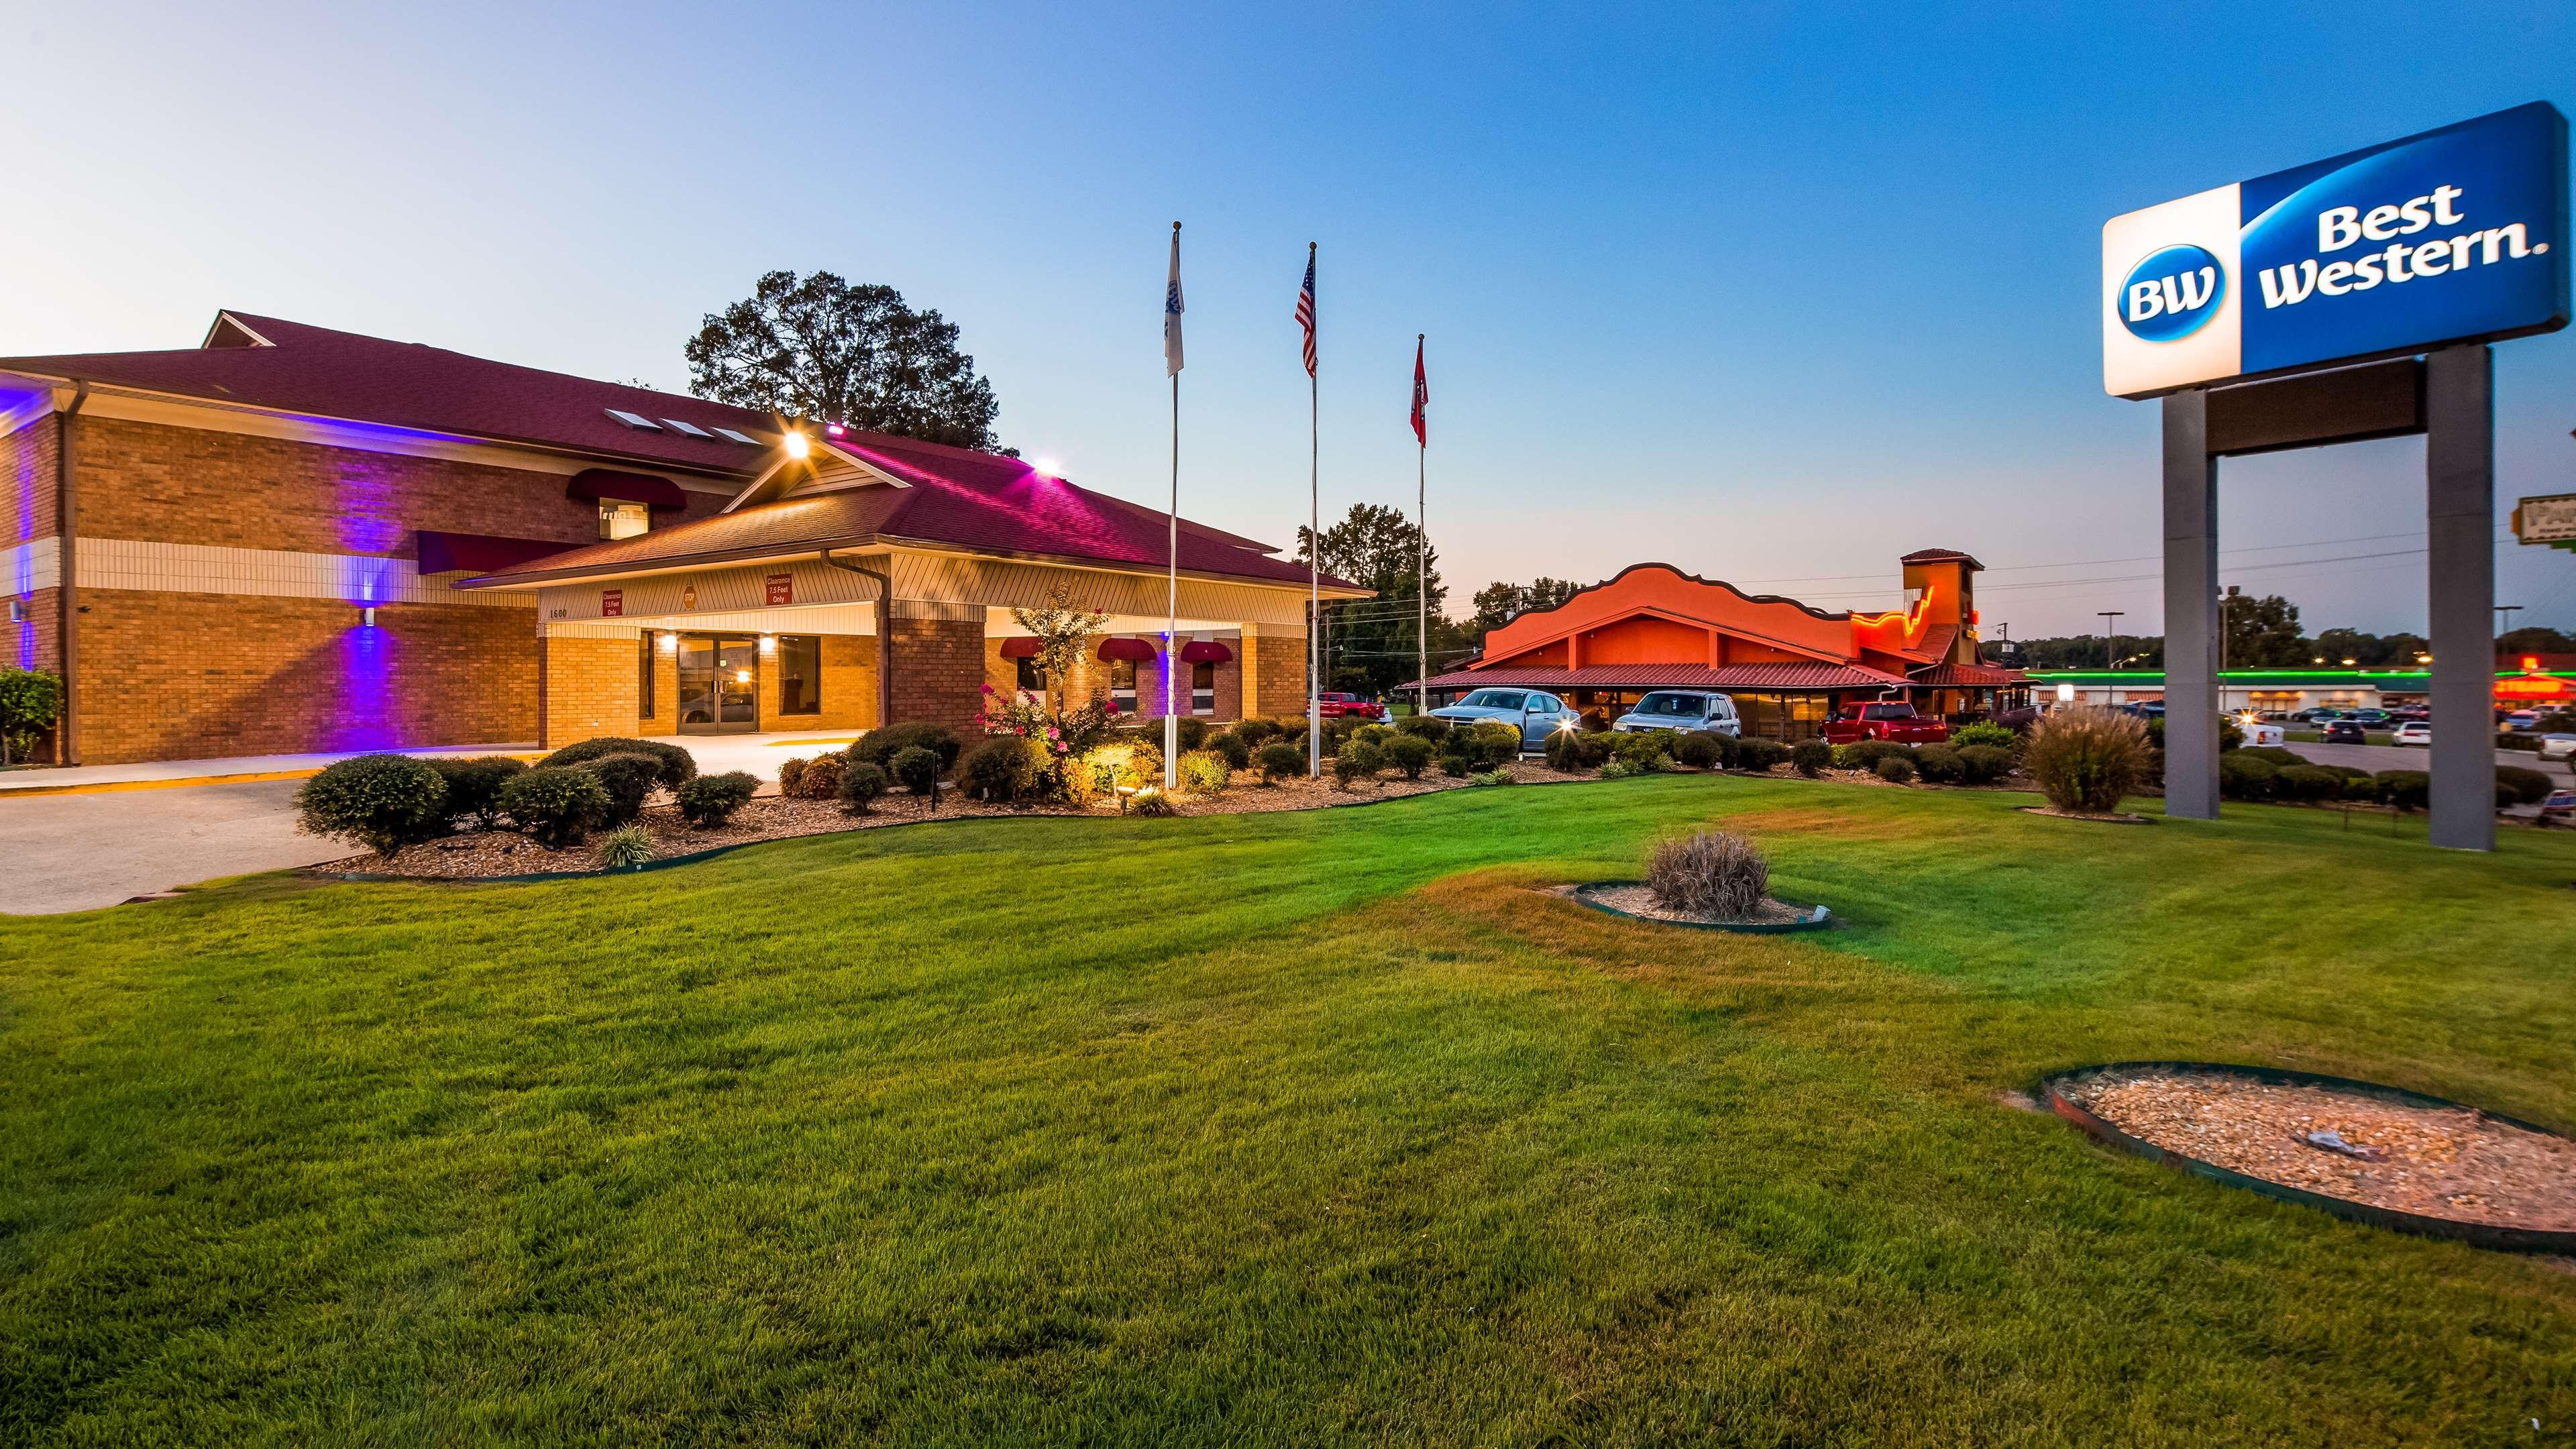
{"x": 2454, "y": 1164}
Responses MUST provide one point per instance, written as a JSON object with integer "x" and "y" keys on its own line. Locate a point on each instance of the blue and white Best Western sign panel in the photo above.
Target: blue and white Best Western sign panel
{"x": 2441, "y": 238}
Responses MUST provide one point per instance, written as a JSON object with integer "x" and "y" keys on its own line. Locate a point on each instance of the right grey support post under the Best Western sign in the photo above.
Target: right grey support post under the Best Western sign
{"x": 2461, "y": 520}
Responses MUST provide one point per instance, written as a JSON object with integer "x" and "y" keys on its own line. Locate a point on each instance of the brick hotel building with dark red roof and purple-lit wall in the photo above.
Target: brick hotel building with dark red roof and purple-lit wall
{"x": 303, "y": 540}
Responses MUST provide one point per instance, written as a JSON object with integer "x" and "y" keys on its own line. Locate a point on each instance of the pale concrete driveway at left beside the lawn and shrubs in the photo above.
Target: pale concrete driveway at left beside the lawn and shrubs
{"x": 79, "y": 852}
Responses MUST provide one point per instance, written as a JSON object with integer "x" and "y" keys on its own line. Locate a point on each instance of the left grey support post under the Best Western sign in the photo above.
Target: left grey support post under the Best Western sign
{"x": 2191, "y": 610}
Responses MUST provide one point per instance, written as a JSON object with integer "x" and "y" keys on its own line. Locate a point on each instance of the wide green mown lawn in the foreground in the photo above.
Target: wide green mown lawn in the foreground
{"x": 1271, "y": 1131}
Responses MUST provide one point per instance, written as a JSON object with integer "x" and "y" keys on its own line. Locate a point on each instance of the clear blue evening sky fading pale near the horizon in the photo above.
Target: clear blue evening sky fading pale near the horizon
{"x": 1766, "y": 293}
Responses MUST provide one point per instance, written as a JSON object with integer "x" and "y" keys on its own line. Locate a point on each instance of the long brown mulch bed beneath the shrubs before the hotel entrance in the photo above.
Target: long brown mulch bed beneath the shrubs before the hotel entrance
{"x": 774, "y": 819}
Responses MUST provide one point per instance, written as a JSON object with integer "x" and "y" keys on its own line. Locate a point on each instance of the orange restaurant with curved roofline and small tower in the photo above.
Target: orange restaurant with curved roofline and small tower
{"x": 1786, "y": 666}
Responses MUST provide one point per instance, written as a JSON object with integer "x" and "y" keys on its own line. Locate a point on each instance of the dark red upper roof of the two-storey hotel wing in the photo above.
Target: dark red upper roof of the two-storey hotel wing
{"x": 408, "y": 385}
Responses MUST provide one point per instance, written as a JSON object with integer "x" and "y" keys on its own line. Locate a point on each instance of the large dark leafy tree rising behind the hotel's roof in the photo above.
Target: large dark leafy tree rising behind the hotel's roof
{"x": 820, "y": 347}
